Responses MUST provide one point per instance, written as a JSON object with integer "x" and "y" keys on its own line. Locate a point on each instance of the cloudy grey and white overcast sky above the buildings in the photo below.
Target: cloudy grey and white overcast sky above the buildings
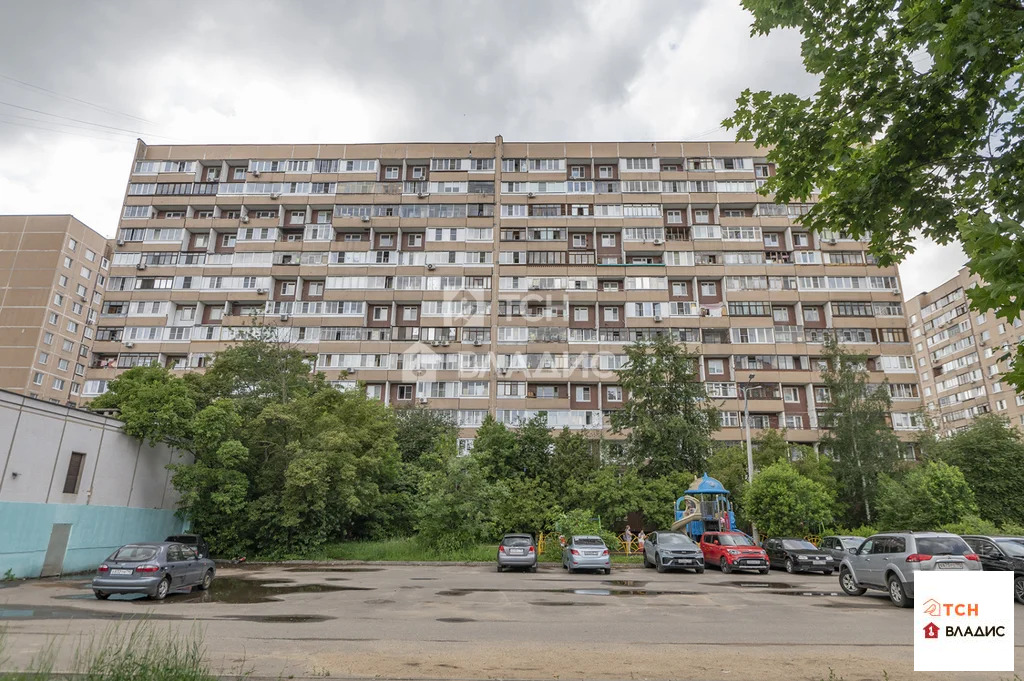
{"x": 79, "y": 82}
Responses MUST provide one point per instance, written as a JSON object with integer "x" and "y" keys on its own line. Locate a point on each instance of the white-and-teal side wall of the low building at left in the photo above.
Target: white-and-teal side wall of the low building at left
{"x": 124, "y": 494}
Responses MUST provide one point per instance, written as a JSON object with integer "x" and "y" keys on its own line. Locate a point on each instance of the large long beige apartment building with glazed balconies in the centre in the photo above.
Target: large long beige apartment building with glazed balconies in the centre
{"x": 499, "y": 277}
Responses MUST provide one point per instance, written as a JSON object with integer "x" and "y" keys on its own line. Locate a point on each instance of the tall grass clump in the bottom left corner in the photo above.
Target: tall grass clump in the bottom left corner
{"x": 130, "y": 653}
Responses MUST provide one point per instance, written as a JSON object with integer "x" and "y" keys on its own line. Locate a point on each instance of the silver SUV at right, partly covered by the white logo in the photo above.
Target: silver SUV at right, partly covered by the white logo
{"x": 889, "y": 563}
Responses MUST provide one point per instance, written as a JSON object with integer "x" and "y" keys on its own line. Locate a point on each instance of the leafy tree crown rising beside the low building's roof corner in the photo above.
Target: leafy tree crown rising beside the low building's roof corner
{"x": 155, "y": 405}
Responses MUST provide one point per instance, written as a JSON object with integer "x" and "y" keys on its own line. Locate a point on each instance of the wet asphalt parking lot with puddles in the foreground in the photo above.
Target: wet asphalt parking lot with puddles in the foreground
{"x": 472, "y": 623}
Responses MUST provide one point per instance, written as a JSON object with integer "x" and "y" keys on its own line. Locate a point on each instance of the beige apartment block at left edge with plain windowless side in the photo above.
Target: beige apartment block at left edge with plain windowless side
{"x": 54, "y": 271}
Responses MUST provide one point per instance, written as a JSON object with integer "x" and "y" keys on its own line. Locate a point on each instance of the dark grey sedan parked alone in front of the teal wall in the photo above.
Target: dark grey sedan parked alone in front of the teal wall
{"x": 155, "y": 570}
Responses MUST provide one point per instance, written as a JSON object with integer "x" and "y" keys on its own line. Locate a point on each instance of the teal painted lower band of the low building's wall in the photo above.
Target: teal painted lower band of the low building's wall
{"x": 97, "y": 531}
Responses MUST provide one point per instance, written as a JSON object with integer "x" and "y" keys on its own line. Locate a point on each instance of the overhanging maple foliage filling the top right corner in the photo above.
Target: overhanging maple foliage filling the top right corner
{"x": 918, "y": 123}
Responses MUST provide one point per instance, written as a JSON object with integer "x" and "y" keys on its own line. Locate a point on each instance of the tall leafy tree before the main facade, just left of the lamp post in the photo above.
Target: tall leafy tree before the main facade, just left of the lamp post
{"x": 668, "y": 415}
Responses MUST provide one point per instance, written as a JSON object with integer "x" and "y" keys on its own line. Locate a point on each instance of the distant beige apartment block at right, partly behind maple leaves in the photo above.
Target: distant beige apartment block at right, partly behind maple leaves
{"x": 958, "y": 354}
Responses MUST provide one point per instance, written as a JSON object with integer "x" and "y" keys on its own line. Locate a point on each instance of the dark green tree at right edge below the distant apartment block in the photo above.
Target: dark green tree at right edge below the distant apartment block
{"x": 991, "y": 454}
